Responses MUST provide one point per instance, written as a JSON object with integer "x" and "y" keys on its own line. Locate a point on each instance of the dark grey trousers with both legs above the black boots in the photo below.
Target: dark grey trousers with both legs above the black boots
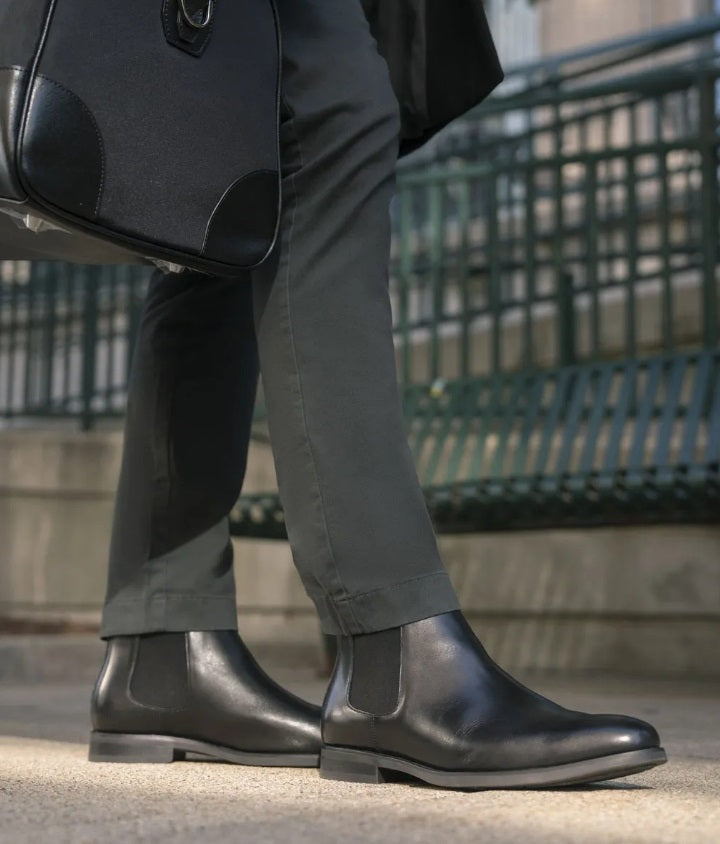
{"x": 316, "y": 321}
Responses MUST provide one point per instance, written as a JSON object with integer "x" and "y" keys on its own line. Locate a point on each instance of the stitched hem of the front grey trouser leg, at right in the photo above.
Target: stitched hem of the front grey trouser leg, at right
{"x": 391, "y": 606}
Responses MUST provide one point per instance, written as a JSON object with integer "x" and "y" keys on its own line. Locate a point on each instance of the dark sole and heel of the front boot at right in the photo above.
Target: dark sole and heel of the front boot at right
{"x": 337, "y": 763}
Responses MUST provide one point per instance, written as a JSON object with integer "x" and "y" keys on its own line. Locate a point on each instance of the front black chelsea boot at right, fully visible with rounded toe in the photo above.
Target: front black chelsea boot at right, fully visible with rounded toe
{"x": 425, "y": 699}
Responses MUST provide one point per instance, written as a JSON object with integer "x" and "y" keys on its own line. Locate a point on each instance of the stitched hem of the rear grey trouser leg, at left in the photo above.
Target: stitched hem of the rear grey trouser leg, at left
{"x": 168, "y": 614}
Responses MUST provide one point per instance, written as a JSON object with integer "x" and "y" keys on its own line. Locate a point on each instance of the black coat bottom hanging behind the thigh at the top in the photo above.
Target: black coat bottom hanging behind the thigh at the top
{"x": 441, "y": 56}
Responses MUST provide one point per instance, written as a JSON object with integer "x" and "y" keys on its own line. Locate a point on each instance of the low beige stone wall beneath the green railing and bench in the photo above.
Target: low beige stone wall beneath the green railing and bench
{"x": 637, "y": 600}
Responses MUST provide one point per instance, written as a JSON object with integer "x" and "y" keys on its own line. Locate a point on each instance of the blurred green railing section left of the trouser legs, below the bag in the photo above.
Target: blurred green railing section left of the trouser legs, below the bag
{"x": 66, "y": 338}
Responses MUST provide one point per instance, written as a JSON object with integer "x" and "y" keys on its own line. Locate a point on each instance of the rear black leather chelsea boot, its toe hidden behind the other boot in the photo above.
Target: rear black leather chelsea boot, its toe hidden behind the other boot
{"x": 162, "y": 695}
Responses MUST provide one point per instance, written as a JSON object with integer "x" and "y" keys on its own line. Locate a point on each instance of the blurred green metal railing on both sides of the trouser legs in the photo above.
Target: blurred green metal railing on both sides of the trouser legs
{"x": 574, "y": 217}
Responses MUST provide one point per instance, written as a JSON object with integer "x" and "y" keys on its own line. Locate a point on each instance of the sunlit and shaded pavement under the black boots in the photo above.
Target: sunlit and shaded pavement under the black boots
{"x": 49, "y": 792}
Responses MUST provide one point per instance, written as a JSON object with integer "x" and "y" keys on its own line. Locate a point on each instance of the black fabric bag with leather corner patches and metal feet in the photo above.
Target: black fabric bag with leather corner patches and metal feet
{"x": 140, "y": 128}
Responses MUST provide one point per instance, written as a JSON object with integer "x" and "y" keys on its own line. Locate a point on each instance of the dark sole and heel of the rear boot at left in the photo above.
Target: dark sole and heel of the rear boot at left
{"x": 134, "y": 747}
